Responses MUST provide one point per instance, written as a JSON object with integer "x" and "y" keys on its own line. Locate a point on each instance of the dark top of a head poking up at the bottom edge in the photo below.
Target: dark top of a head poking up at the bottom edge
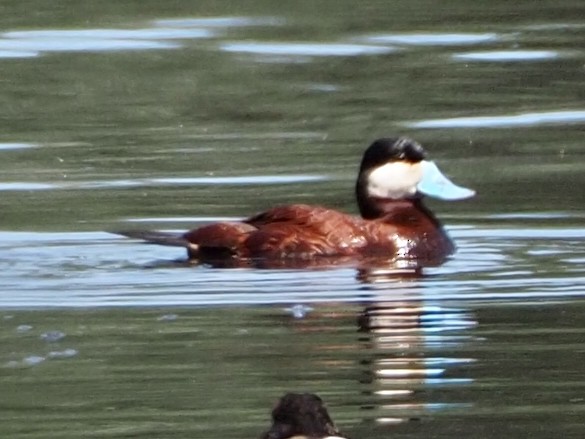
{"x": 301, "y": 416}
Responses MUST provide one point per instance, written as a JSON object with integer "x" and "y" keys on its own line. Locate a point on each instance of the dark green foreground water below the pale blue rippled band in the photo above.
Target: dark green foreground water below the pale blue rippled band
{"x": 217, "y": 373}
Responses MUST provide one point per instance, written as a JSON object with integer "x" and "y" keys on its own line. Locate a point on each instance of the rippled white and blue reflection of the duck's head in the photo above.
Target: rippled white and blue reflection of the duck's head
{"x": 413, "y": 364}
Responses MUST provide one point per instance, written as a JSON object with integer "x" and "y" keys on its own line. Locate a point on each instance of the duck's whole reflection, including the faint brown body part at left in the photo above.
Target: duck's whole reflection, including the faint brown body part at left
{"x": 412, "y": 350}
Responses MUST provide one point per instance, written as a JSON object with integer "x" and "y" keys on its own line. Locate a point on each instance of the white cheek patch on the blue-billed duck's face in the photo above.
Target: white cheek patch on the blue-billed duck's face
{"x": 394, "y": 180}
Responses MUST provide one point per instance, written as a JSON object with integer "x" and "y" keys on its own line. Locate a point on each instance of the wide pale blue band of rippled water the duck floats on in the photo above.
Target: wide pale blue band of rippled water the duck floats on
{"x": 97, "y": 269}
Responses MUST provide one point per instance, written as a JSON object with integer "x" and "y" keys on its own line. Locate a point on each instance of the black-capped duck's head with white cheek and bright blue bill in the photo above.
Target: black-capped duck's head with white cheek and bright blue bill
{"x": 397, "y": 169}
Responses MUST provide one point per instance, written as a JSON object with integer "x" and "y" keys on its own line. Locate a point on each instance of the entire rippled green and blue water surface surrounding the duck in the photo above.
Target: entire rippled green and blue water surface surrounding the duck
{"x": 145, "y": 348}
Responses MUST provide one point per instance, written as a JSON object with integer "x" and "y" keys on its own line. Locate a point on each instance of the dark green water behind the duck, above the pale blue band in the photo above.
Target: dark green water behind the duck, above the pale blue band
{"x": 131, "y": 114}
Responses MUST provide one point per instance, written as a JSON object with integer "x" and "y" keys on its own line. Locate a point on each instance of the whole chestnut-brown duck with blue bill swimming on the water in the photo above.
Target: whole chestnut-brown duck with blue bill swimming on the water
{"x": 394, "y": 224}
